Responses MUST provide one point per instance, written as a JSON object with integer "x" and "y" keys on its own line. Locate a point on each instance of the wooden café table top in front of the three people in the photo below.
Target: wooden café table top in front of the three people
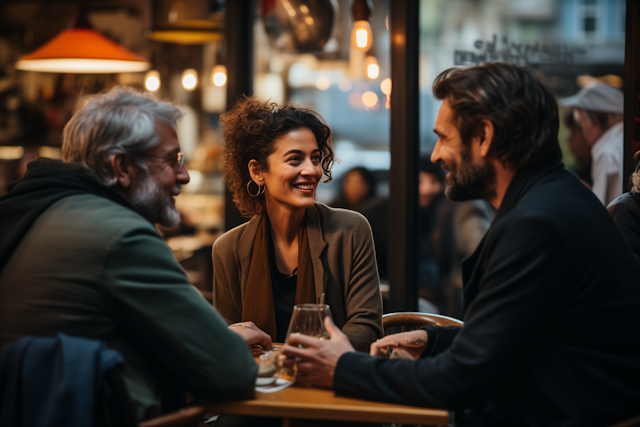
{"x": 297, "y": 403}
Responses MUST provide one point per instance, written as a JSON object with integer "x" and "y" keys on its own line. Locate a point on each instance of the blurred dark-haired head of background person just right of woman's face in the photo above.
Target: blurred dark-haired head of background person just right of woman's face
{"x": 358, "y": 189}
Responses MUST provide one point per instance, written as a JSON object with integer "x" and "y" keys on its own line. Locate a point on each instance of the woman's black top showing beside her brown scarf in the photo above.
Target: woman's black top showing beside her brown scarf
{"x": 284, "y": 294}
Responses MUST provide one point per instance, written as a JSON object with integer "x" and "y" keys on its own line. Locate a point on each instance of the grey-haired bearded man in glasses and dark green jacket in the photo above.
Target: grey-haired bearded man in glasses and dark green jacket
{"x": 79, "y": 255}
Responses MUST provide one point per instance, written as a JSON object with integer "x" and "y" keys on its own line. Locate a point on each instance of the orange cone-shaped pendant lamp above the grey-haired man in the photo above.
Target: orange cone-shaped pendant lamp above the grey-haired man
{"x": 81, "y": 50}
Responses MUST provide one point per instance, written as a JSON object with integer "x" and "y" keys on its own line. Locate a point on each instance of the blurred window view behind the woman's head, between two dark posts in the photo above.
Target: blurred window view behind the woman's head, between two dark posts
{"x": 338, "y": 81}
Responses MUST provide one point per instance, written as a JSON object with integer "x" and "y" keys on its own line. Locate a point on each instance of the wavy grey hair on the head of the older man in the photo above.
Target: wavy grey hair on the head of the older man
{"x": 120, "y": 120}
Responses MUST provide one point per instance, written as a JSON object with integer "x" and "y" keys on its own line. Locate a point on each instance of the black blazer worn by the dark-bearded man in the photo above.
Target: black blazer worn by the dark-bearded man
{"x": 552, "y": 320}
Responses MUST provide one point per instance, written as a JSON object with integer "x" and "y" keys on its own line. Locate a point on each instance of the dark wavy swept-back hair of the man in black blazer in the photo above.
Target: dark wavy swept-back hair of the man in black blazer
{"x": 521, "y": 107}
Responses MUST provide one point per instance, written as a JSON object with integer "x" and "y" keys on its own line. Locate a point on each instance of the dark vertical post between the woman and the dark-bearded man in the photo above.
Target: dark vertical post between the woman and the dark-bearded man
{"x": 405, "y": 153}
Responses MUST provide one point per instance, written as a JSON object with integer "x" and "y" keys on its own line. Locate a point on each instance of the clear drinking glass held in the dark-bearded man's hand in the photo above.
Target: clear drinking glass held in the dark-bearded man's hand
{"x": 307, "y": 319}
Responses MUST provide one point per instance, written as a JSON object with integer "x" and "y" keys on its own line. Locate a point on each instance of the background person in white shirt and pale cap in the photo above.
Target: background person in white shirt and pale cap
{"x": 598, "y": 110}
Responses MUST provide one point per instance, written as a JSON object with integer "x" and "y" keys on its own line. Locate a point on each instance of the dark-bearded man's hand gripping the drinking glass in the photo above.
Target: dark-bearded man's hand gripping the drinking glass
{"x": 318, "y": 358}
